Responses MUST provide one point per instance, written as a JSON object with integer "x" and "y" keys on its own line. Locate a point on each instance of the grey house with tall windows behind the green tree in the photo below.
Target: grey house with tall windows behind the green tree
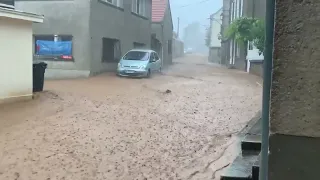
{"x": 234, "y": 54}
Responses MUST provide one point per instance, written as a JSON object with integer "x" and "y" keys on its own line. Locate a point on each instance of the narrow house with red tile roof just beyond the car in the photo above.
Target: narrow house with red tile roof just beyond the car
{"x": 162, "y": 30}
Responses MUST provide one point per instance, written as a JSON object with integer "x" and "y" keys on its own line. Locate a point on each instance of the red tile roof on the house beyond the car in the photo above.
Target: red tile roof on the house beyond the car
{"x": 159, "y": 8}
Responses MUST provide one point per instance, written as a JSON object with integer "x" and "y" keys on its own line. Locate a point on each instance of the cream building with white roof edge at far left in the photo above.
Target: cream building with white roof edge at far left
{"x": 16, "y": 76}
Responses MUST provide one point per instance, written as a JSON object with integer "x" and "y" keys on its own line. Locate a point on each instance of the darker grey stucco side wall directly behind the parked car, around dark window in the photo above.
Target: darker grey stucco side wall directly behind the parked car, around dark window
{"x": 110, "y": 22}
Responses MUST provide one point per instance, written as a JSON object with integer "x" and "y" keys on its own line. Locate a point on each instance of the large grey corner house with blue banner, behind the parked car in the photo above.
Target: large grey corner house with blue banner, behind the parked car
{"x": 80, "y": 38}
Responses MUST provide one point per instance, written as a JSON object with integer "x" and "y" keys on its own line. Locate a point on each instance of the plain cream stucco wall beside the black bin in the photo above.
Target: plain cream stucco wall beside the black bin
{"x": 15, "y": 58}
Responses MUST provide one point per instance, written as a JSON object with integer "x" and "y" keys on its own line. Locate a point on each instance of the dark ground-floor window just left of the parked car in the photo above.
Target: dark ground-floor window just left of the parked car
{"x": 111, "y": 50}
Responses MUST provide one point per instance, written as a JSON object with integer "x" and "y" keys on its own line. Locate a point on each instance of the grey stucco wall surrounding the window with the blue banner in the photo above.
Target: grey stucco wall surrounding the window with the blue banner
{"x": 64, "y": 18}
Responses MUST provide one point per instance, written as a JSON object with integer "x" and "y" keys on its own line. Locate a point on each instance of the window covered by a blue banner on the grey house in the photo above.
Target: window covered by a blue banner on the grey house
{"x": 53, "y": 47}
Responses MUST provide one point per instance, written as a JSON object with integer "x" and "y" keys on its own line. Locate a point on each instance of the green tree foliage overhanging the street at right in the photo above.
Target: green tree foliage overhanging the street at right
{"x": 246, "y": 29}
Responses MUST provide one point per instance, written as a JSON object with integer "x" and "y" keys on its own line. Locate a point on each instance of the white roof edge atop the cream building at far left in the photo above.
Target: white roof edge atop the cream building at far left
{"x": 14, "y": 14}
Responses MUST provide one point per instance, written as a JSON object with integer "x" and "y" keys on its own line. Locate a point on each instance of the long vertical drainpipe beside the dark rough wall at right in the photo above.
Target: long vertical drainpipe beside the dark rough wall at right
{"x": 267, "y": 79}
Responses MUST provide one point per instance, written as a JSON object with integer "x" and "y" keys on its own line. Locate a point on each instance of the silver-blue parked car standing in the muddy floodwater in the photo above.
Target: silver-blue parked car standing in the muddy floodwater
{"x": 139, "y": 63}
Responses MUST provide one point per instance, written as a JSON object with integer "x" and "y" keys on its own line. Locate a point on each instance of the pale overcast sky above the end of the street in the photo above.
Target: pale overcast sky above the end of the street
{"x": 193, "y": 10}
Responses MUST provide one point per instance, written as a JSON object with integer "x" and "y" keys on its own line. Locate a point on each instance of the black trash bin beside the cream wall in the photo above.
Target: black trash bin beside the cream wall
{"x": 38, "y": 76}
